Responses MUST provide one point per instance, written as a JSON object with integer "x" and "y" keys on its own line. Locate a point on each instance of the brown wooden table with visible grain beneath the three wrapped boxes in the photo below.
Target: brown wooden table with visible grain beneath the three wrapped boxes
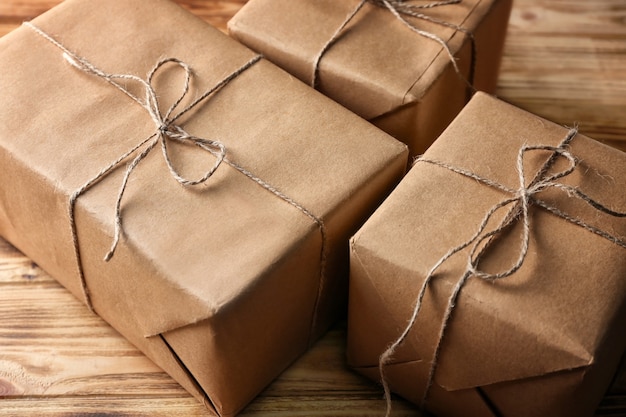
{"x": 564, "y": 60}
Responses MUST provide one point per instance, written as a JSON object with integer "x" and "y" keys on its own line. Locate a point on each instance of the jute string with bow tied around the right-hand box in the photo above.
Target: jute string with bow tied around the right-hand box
{"x": 519, "y": 205}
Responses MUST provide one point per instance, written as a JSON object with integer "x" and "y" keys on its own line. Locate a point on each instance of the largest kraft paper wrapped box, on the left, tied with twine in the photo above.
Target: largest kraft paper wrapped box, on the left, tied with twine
{"x": 223, "y": 283}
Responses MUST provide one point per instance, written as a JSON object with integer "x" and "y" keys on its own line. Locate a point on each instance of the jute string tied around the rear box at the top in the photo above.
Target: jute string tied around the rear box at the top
{"x": 402, "y": 9}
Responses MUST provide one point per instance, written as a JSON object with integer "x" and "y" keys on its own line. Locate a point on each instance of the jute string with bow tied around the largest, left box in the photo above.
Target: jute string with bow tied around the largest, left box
{"x": 166, "y": 129}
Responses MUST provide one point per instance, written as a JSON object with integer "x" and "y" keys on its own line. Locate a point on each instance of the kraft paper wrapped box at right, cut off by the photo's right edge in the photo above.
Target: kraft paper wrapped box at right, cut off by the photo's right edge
{"x": 544, "y": 337}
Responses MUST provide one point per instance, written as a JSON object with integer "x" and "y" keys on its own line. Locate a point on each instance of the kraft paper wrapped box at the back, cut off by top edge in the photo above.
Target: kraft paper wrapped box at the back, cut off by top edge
{"x": 378, "y": 67}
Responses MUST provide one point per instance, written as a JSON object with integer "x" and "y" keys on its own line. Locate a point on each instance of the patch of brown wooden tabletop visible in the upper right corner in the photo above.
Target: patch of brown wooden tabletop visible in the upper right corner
{"x": 565, "y": 60}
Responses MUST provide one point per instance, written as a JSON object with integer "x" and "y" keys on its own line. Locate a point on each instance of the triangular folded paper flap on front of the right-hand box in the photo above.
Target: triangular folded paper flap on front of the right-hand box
{"x": 494, "y": 350}
